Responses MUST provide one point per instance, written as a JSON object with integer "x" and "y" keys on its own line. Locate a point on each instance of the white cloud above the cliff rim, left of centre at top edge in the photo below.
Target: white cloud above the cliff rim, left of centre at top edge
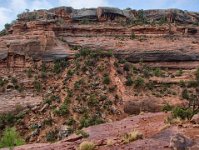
{"x": 84, "y": 3}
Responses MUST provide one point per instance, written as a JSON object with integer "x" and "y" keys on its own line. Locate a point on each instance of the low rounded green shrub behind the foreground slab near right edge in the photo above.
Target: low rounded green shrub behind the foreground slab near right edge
{"x": 183, "y": 113}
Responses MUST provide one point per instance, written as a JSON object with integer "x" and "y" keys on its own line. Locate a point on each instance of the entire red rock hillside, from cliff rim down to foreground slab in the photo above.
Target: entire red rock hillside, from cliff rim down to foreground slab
{"x": 62, "y": 70}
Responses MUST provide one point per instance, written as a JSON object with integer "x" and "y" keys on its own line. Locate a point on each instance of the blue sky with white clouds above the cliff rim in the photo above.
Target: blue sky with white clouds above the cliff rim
{"x": 10, "y": 8}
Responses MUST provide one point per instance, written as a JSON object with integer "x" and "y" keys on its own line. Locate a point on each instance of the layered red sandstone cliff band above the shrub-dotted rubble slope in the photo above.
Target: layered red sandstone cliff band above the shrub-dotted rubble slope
{"x": 49, "y": 34}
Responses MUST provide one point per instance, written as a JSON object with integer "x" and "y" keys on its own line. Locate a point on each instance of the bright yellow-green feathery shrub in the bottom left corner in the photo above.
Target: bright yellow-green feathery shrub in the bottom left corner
{"x": 11, "y": 138}
